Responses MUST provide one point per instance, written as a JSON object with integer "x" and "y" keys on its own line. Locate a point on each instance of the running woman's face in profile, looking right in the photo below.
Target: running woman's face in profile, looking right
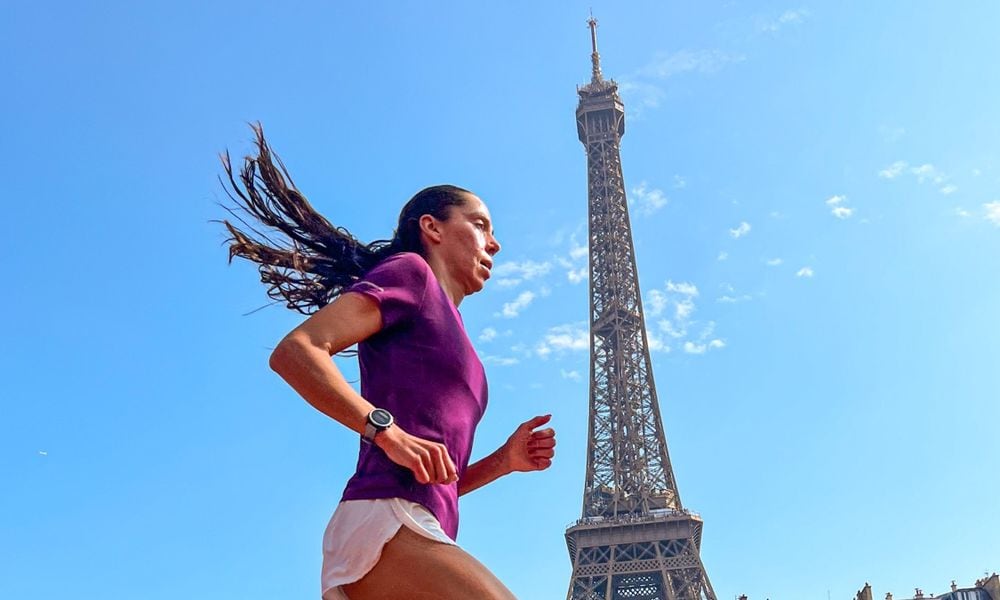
{"x": 467, "y": 244}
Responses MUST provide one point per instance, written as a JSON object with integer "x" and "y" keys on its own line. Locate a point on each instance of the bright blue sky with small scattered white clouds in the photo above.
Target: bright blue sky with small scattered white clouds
{"x": 815, "y": 196}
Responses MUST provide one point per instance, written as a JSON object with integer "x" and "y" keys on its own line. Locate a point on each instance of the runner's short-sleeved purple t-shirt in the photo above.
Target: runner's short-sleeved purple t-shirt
{"x": 422, "y": 368}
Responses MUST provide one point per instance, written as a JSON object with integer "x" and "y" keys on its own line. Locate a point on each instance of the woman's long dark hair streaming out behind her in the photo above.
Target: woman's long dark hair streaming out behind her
{"x": 303, "y": 259}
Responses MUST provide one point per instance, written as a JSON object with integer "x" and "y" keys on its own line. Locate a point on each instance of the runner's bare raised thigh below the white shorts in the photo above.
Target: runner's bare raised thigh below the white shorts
{"x": 413, "y": 567}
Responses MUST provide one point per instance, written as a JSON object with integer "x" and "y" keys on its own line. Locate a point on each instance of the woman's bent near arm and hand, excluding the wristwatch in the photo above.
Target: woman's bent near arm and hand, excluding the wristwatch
{"x": 302, "y": 359}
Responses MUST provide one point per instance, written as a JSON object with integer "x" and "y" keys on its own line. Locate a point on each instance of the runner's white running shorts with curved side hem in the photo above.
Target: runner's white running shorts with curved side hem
{"x": 357, "y": 532}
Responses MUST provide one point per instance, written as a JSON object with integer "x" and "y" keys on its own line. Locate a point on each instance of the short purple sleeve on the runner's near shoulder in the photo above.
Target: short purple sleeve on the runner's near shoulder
{"x": 398, "y": 285}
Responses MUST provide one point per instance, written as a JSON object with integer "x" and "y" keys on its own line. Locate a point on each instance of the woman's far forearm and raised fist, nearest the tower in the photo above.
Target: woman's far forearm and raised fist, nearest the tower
{"x": 524, "y": 450}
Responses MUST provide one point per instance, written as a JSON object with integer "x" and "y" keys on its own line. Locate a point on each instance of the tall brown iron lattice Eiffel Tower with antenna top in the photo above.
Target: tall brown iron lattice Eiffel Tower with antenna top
{"x": 634, "y": 539}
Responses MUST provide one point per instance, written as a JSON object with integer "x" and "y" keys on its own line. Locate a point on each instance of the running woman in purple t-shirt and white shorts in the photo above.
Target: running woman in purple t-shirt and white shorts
{"x": 423, "y": 389}
